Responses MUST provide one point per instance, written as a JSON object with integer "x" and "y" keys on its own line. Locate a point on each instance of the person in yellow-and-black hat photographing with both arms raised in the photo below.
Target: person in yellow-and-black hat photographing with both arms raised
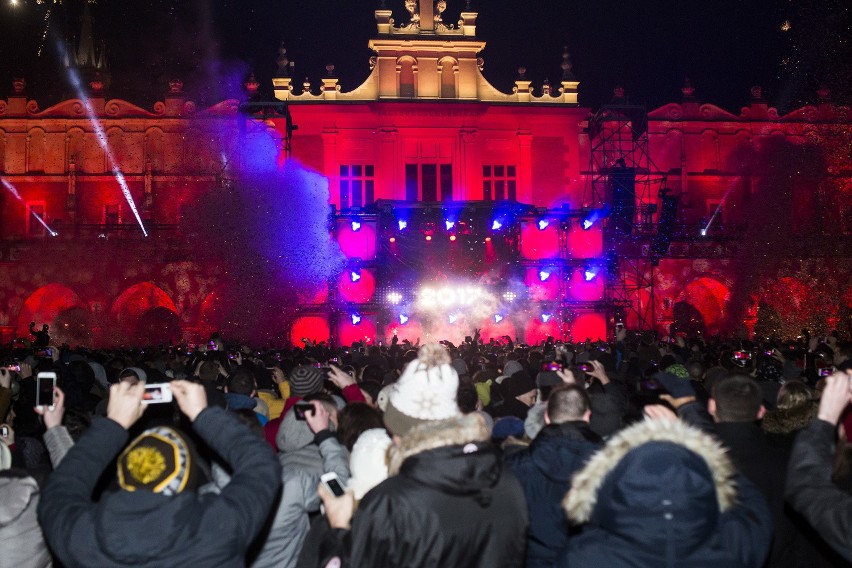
{"x": 157, "y": 519}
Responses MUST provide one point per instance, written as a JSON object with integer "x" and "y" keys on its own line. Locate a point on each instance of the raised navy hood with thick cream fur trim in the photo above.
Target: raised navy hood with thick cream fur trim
{"x": 650, "y": 474}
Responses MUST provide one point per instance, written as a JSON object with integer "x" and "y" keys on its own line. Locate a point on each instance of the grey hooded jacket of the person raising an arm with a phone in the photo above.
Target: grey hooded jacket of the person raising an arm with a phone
{"x": 304, "y": 457}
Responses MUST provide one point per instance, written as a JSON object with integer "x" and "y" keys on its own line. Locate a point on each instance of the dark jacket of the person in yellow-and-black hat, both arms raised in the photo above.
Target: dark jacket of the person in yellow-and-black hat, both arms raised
{"x": 147, "y": 529}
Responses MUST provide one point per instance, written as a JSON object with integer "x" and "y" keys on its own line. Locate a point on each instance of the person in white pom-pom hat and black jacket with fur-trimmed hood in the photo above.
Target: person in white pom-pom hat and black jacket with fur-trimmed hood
{"x": 449, "y": 500}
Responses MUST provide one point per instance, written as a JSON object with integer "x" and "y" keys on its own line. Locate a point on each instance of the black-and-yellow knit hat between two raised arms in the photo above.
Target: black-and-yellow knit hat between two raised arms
{"x": 158, "y": 460}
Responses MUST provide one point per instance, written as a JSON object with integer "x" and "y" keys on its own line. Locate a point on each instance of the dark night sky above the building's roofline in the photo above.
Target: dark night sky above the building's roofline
{"x": 723, "y": 46}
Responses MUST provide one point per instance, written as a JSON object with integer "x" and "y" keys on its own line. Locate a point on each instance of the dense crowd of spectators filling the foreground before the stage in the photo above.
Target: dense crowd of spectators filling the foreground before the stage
{"x": 637, "y": 451}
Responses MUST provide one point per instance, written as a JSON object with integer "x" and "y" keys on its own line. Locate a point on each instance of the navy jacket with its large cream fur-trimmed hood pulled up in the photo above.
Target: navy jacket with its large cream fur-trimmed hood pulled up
{"x": 664, "y": 494}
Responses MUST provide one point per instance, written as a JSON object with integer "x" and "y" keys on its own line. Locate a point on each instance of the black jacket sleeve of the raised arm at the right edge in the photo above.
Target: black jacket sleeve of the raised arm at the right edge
{"x": 811, "y": 492}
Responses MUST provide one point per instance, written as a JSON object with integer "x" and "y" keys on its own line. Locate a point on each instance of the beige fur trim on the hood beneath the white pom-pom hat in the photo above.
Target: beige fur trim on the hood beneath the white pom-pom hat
{"x": 462, "y": 429}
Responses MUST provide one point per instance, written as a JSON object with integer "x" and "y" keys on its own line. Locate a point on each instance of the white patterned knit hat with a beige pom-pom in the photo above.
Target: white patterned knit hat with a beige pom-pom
{"x": 426, "y": 391}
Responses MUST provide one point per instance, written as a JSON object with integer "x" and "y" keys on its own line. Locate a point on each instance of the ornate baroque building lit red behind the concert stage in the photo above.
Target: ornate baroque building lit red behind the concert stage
{"x": 698, "y": 218}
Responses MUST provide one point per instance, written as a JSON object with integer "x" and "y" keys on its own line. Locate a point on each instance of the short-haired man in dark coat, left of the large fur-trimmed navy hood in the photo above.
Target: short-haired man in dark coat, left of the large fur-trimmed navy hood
{"x": 544, "y": 470}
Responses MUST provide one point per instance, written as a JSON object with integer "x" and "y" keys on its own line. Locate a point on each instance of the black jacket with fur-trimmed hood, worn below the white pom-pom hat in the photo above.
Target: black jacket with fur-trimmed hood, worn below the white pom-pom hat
{"x": 452, "y": 503}
